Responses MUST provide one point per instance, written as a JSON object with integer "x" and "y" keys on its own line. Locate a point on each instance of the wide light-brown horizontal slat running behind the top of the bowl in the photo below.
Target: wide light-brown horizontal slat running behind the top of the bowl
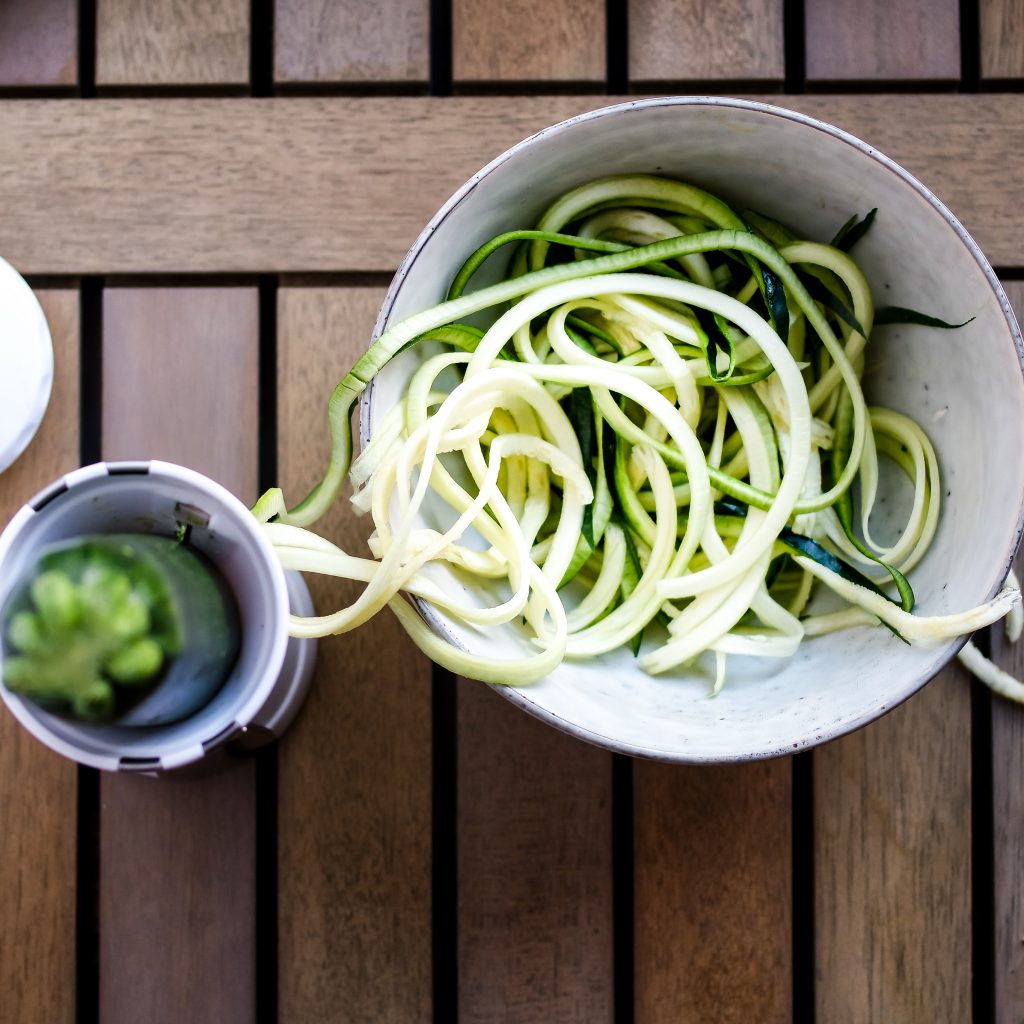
{"x": 180, "y": 185}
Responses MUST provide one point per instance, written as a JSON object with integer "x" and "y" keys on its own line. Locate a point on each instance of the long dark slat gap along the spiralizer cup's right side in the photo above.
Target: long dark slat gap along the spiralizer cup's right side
{"x": 267, "y": 762}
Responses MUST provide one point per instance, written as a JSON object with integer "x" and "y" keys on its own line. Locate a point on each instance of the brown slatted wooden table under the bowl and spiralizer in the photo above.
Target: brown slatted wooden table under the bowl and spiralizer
{"x": 210, "y": 199}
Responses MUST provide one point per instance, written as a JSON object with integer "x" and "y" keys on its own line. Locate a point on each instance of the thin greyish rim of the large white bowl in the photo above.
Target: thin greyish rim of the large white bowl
{"x": 521, "y": 697}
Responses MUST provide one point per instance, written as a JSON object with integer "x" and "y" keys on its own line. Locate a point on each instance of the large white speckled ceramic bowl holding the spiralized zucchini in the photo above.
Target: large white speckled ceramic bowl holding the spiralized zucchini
{"x": 965, "y": 388}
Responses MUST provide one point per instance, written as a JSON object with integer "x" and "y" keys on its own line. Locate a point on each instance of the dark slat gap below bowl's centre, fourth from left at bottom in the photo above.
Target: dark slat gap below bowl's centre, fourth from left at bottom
{"x": 623, "y": 903}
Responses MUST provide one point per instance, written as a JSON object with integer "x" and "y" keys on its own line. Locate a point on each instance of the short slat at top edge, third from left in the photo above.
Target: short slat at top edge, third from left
{"x": 357, "y": 41}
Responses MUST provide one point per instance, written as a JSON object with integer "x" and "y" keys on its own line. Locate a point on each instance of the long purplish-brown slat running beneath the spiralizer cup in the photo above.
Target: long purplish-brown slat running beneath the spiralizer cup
{"x": 178, "y": 857}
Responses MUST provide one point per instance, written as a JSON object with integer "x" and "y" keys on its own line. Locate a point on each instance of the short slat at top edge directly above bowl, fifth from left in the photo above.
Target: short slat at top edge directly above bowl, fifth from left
{"x": 692, "y": 40}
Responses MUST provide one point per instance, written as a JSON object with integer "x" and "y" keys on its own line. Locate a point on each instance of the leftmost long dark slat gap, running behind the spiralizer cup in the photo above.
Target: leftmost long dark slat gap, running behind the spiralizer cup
{"x": 88, "y": 843}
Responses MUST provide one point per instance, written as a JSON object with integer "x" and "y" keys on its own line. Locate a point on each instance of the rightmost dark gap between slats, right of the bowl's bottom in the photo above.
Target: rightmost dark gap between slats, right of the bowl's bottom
{"x": 983, "y": 848}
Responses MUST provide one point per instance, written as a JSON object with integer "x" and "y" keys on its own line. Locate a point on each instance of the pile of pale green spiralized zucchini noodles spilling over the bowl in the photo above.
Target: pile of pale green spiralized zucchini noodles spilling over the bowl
{"x": 661, "y": 442}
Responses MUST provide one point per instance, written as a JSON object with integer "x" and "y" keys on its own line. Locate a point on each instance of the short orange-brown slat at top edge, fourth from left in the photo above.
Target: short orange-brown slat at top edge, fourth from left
{"x": 529, "y": 40}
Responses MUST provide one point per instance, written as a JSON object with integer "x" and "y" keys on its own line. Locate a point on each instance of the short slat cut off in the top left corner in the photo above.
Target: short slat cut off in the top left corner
{"x": 39, "y": 44}
